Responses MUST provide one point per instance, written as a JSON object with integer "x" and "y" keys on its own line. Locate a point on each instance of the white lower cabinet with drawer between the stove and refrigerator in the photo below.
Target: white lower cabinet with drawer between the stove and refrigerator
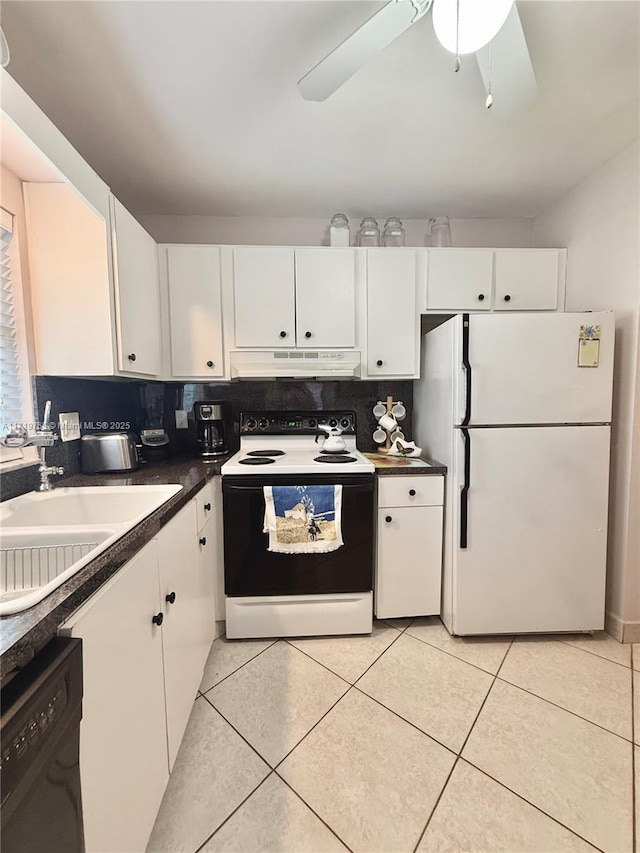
{"x": 409, "y": 546}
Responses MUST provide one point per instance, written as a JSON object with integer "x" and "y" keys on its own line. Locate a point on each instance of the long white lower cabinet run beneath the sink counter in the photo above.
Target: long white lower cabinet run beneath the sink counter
{"x": 145, "y": 638}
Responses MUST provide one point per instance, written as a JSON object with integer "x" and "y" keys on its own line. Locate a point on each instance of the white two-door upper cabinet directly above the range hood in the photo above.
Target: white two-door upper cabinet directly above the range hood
{"x": 287, "y": 297}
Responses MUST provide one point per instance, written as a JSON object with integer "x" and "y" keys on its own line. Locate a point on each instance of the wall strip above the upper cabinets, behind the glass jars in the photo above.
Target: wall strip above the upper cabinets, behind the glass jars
{"x": 275, "y": 231}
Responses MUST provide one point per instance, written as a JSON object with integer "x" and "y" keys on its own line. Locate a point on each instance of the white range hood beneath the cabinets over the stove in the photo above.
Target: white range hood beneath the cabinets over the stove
{"x": 295, "y": 364}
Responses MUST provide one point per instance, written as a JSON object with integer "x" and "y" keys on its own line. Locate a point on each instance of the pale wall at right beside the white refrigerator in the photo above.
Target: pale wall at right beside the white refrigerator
{"x": 599, "y": 223}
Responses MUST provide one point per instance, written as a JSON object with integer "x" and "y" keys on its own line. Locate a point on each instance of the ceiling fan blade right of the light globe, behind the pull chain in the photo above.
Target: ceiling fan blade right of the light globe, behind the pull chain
{"x": 507, "y": 61}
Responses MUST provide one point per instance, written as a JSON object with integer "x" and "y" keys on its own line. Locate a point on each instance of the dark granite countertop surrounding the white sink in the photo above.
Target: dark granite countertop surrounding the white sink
{"x": 23, "y": 634}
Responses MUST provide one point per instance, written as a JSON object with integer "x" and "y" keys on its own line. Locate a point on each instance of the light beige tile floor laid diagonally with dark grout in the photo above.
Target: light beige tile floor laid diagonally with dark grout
{"x": 409, "y": 740}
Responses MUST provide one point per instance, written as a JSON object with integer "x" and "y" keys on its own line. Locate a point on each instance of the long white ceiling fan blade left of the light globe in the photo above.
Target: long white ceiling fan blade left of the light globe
{"x": 372, "y": 37}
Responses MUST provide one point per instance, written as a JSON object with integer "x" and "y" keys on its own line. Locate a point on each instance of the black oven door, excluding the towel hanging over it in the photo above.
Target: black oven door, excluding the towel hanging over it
{"x": 251, "y": 570}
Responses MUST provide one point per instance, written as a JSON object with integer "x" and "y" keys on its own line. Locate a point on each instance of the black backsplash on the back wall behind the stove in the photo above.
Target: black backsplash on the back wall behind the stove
{"x": 244, "y": 396}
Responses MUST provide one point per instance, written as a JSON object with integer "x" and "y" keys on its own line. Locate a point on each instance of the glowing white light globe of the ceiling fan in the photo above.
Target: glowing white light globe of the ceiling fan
{"x": 480, "y": 21}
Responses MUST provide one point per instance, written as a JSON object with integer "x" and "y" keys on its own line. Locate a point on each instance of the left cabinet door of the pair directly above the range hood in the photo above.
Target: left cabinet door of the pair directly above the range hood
{"x": 264, "y": 293}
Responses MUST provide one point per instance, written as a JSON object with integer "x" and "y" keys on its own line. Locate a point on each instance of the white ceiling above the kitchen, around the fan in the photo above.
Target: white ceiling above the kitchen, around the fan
{"x": 192, "y": 107}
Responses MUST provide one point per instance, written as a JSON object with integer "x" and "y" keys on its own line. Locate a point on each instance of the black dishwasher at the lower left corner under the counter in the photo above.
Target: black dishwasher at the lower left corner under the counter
{"x": 41, "y": 805}
